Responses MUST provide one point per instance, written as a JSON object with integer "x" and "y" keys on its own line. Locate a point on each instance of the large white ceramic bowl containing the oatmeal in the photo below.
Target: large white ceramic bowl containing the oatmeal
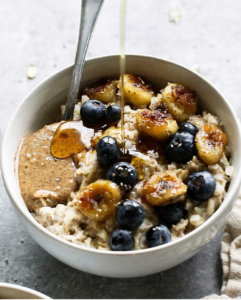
{"x": 41, "y": 106}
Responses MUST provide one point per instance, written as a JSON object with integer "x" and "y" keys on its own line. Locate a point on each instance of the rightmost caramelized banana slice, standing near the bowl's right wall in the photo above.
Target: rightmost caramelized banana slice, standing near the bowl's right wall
{"x": 210, "y": 143}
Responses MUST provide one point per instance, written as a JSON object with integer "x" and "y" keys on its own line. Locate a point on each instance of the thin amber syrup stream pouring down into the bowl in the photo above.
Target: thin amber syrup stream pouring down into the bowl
{"x": 122, "y": 68}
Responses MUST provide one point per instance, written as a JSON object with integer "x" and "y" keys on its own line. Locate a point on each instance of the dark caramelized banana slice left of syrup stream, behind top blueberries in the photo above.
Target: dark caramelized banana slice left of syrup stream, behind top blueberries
{"x": 104, "y": 91}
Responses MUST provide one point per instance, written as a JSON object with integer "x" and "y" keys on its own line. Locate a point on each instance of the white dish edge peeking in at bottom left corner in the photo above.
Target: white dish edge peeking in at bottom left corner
{"x": 13, "y": 291}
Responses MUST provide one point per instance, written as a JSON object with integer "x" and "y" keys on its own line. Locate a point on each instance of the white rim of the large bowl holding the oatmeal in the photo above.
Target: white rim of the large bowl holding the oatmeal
{"x": 228, "y": 197}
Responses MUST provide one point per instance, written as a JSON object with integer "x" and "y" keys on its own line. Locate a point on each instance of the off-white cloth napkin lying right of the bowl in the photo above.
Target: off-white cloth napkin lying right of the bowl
{"x": 231, "y": 255}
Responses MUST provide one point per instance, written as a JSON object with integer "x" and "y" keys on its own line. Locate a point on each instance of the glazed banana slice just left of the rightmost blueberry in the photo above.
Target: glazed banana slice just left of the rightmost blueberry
{"x": 164, "y": 189}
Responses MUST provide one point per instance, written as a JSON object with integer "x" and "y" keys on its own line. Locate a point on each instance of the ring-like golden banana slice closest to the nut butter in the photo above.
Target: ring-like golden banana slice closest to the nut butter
{"x": 98, "y": 200}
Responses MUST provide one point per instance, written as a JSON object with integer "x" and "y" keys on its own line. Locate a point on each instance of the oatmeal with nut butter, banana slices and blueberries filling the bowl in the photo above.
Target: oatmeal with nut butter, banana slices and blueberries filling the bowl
{"x": 168, "y": 176}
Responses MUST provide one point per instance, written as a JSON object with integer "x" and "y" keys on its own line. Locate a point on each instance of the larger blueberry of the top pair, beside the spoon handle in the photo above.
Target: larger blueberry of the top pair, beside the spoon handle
{"x": 93, "y": 111}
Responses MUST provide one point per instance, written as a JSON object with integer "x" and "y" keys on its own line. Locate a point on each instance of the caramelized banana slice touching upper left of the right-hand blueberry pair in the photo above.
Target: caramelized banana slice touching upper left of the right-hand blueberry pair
{"x": 156, "y": 123}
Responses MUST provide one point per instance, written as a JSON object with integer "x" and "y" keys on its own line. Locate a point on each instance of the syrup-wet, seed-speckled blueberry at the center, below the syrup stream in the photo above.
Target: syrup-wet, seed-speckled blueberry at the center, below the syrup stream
{"x": 123, "y": 174}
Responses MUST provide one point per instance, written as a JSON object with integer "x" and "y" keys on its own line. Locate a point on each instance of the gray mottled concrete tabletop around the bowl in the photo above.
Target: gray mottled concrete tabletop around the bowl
{"x": 44, "y": 33}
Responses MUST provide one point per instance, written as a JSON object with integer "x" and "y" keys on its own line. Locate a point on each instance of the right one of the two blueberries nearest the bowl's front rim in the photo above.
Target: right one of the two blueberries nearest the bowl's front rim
{"x": 158, "y": 235}
